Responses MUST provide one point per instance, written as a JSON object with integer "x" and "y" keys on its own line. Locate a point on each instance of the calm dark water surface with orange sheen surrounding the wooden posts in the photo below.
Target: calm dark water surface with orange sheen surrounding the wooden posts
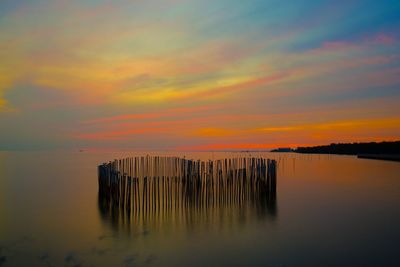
{"x": 329, "y": 211}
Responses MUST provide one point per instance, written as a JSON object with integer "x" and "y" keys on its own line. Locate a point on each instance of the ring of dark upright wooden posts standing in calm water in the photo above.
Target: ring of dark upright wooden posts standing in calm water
{"x": 152, "y": 184}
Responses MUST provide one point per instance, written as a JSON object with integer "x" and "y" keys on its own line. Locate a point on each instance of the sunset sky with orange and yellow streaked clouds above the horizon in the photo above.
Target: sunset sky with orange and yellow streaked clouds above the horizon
{"x": 197, "y": 74}
